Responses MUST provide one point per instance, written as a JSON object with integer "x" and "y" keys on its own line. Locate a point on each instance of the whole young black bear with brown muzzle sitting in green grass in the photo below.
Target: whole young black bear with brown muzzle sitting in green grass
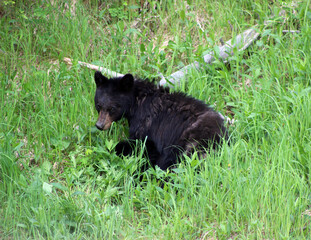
{"x": 171, "y": 124}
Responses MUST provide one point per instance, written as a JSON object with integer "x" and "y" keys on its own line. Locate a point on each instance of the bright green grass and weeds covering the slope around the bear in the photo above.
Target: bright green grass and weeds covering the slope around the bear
{"x": 59, "y": 176}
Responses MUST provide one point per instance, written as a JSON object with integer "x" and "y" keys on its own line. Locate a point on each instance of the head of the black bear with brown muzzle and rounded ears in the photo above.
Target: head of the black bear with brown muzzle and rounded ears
{"x": 113, "y": 98}
